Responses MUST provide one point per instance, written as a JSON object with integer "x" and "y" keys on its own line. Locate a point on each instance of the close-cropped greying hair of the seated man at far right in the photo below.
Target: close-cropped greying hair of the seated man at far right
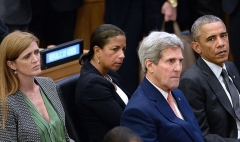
{"x": 206, "y": 19}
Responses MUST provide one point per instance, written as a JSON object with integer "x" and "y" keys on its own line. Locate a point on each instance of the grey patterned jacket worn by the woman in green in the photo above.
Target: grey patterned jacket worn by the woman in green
{"x": 20, "y": 125}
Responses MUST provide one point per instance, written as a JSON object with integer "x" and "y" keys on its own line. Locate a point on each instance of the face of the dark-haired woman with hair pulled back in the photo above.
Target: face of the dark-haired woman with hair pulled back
{"x": 112, "y": 54}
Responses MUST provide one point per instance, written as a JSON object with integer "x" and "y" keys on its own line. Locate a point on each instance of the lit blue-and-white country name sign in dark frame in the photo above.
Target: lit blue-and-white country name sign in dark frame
{"x": 61, "y": 53}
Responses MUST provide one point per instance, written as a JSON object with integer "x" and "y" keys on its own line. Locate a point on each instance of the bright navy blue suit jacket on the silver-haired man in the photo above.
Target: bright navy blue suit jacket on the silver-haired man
{"x": 150, "y": 116}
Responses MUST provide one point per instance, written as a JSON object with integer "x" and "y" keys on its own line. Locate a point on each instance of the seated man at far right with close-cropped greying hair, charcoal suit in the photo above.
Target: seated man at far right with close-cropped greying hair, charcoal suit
{"x": 203, "y": 84}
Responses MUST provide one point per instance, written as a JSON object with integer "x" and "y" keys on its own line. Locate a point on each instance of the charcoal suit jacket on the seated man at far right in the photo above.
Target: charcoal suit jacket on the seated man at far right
{"x": 209, "y": 101}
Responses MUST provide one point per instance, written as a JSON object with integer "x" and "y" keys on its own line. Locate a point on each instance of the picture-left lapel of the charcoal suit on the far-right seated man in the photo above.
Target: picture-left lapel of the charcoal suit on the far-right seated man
{"x": 216, "y": 86}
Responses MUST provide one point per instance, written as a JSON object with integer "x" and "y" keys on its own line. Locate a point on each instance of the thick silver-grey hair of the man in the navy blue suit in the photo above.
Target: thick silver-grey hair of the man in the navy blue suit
{"x": 152, "y": 46}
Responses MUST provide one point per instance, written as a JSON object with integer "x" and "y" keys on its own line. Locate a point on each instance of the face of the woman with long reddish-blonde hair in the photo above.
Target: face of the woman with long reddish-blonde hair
{"x": 28, "y": 62}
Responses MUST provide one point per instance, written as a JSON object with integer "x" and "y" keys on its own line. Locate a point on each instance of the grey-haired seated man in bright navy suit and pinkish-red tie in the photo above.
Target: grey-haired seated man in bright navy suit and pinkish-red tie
{"x": 158, "y": 111}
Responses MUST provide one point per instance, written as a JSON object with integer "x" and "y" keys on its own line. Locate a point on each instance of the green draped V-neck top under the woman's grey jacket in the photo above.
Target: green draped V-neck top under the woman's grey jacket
{"x": 49, "y": 132}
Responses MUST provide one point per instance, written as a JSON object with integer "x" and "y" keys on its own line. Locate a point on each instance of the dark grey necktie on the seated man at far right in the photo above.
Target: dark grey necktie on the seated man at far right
{"x": 233, "y": 93}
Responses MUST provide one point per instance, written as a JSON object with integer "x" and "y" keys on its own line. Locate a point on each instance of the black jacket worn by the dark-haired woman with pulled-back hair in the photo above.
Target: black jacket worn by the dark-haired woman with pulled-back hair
{"x": 98, "y": 104}
